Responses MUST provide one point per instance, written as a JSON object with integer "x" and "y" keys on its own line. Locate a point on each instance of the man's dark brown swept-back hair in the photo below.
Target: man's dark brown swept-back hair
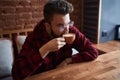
{"x": 56, "y": 6}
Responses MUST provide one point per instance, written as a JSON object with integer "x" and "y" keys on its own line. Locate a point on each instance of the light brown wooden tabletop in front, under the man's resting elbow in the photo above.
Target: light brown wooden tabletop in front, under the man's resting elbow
{"x": 105, "y": 67}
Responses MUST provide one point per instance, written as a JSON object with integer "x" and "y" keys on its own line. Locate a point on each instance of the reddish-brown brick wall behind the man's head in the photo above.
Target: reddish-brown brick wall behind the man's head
{"x": 20, "y": 14}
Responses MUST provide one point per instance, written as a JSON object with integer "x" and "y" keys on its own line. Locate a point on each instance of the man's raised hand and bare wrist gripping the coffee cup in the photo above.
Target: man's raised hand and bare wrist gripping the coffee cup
{"x": 52, "y": 45}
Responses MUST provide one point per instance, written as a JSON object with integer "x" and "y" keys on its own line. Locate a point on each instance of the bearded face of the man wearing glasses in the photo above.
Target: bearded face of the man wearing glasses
{"x": 59, "y": 24}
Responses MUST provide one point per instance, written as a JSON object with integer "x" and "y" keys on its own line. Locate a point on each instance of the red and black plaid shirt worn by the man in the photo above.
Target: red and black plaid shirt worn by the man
{"x": 30, "y": 62}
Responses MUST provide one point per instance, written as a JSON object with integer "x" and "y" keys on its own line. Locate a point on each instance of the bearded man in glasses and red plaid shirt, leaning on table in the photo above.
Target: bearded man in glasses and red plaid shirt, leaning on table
{"x": 45, "y": 48}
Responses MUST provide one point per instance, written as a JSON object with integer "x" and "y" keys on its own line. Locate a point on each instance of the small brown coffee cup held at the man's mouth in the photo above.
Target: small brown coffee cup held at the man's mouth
{"x": 69, "y": 37}
